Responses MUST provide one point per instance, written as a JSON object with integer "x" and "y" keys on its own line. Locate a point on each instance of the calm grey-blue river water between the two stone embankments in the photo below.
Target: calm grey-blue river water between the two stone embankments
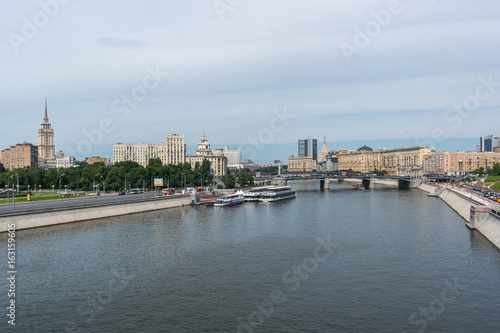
{"x": 328, "y": 261}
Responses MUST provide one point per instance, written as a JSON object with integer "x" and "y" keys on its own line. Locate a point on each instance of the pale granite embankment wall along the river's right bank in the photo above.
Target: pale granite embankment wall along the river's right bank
{"x": 476, "y": 215}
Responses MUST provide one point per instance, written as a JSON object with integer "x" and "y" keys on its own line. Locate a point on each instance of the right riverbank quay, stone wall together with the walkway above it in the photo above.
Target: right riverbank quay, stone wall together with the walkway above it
{"x": 479, "y": 213}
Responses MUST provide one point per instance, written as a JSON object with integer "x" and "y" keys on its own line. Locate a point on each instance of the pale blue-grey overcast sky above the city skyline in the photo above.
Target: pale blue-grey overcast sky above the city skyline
{"x": 248, "y": 72}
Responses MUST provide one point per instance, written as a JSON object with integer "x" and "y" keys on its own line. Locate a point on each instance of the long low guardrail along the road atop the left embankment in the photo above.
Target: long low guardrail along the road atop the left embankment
{"x": 87, "y": 204}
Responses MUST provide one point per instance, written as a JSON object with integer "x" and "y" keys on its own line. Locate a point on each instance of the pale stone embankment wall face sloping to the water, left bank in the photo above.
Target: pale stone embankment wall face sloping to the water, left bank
{"x": 43, "y": 219}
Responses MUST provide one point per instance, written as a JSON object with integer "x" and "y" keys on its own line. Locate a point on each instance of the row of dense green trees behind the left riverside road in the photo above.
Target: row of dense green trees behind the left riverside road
{"x": 83, "y": 176}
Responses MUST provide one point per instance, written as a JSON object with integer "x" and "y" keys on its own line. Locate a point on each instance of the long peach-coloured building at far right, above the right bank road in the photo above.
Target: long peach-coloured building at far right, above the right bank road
{"x": 459, "y": 163}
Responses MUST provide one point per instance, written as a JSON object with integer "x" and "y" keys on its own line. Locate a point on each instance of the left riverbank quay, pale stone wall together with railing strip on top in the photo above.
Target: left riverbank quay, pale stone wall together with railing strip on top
{"x": 84, "y": 211}
